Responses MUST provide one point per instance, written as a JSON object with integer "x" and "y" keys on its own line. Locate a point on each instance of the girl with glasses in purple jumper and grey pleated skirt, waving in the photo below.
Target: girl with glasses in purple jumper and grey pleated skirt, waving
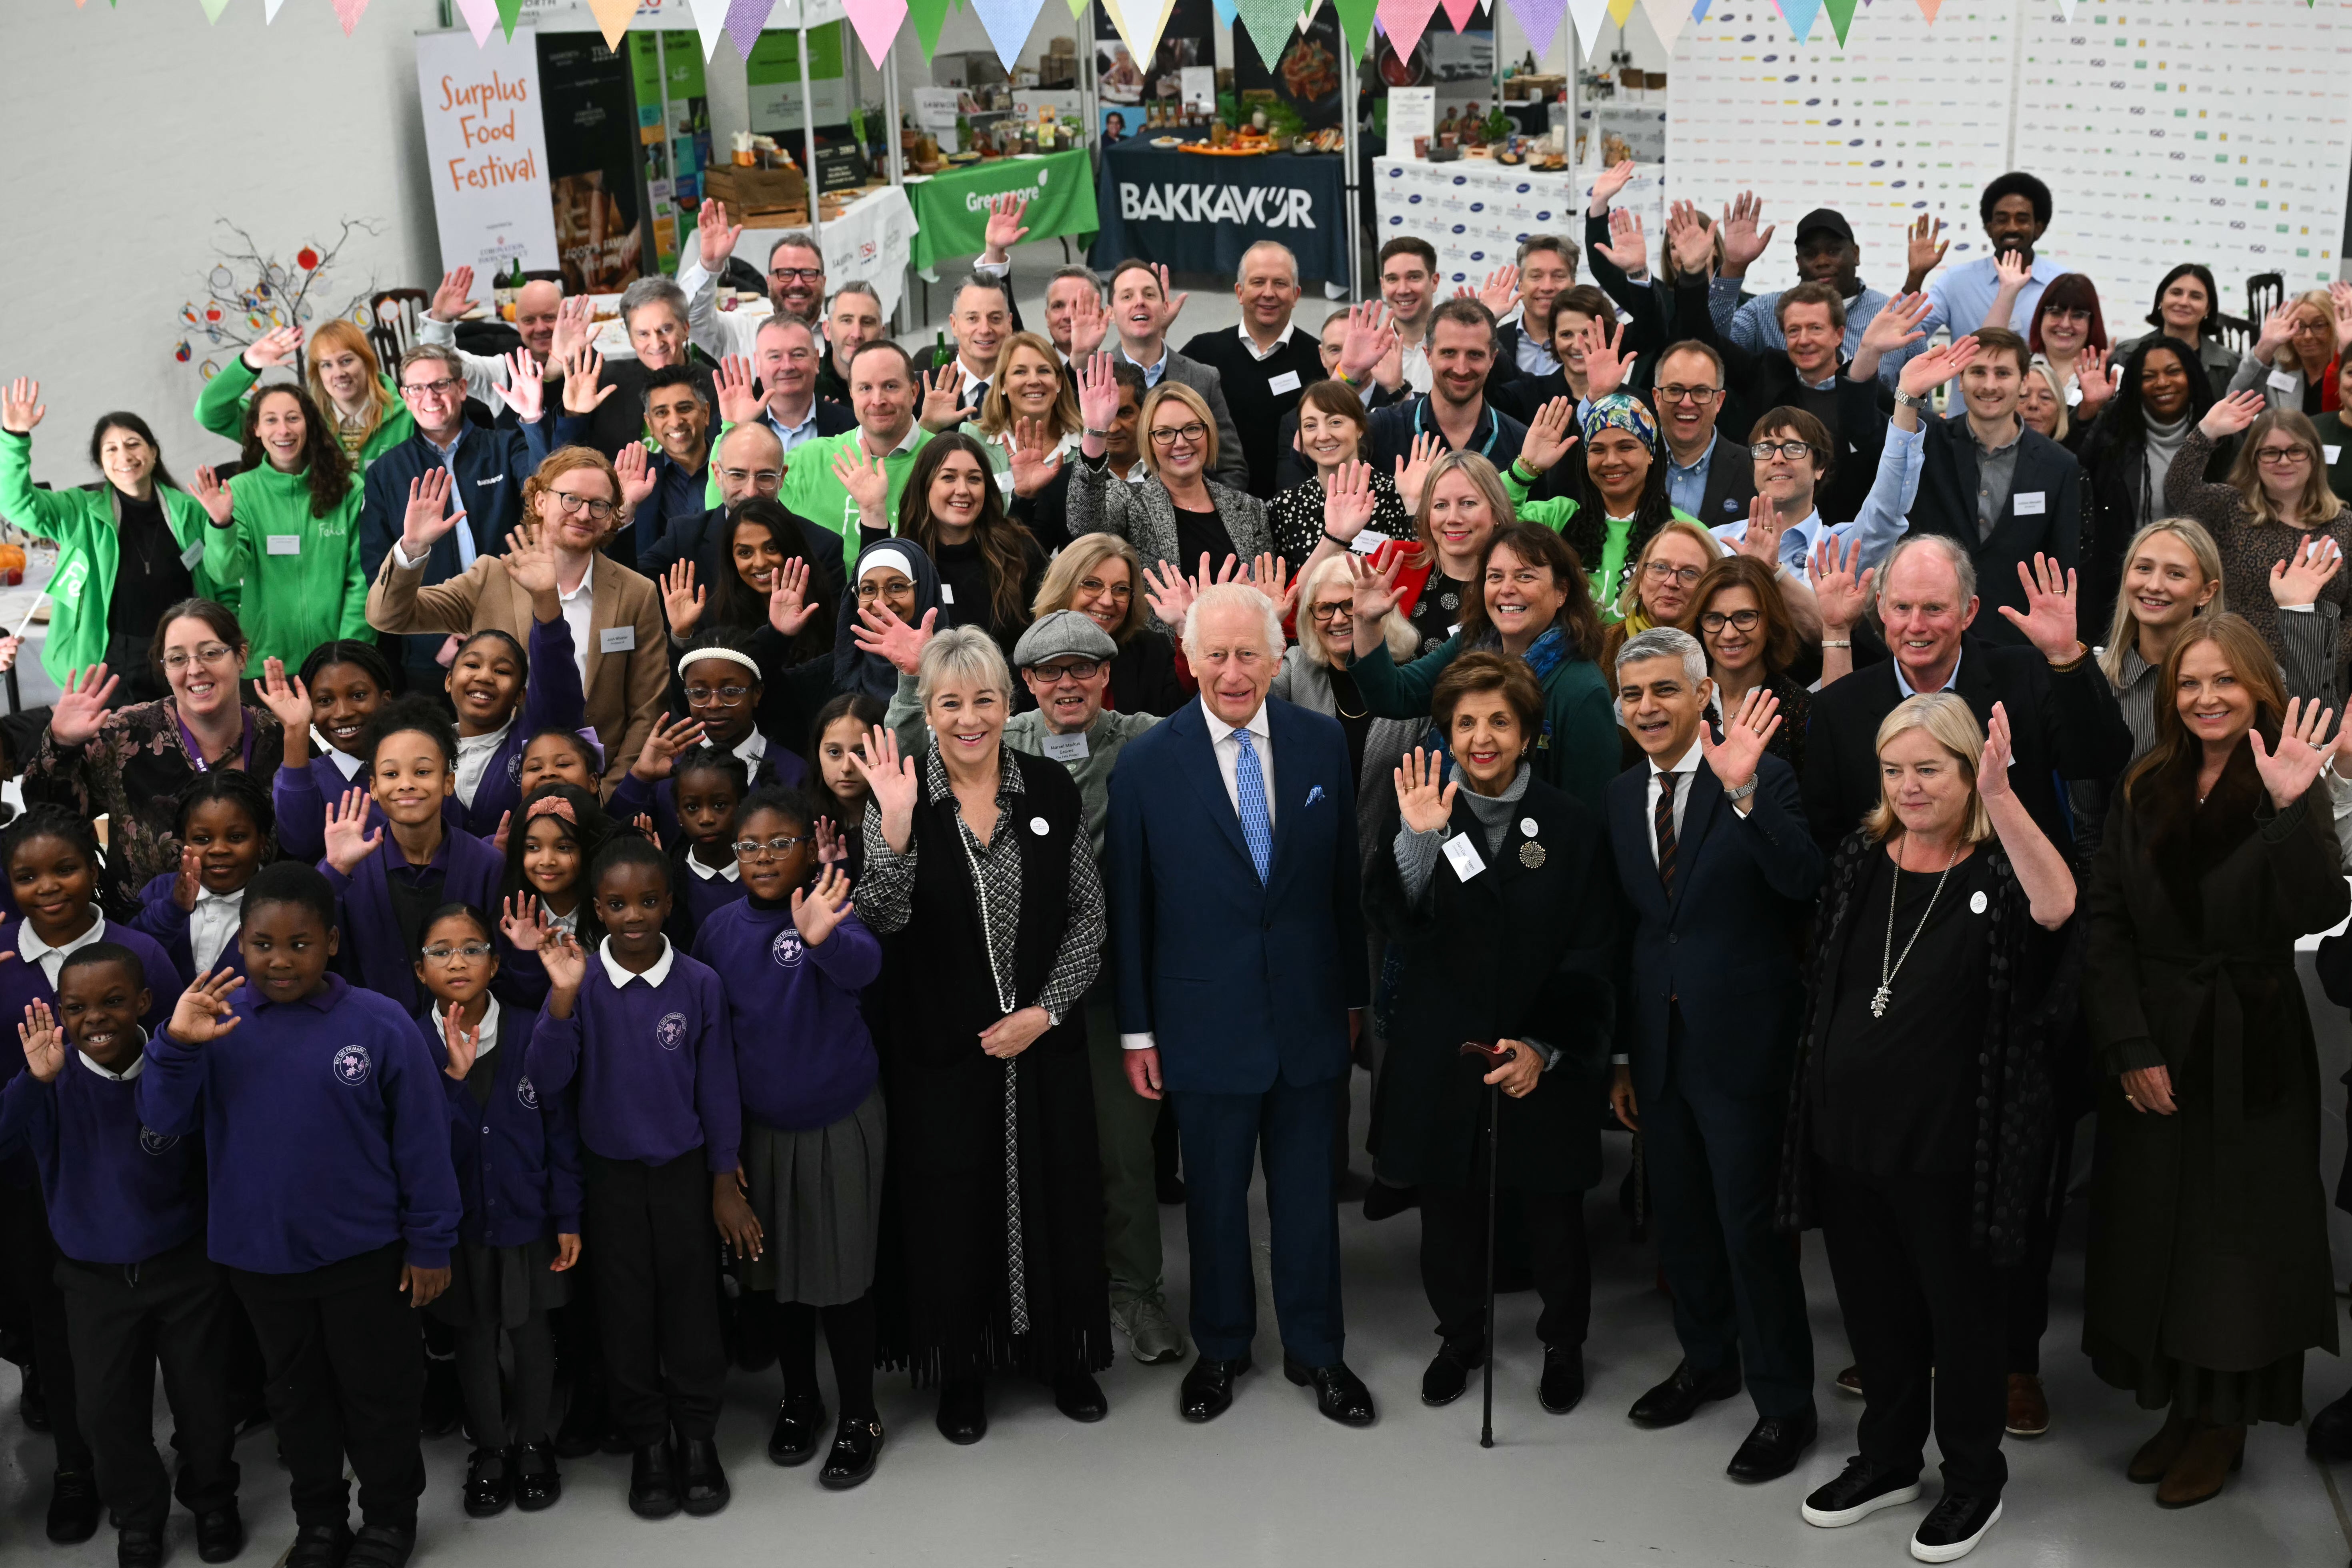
{"x": 794, "y": 958}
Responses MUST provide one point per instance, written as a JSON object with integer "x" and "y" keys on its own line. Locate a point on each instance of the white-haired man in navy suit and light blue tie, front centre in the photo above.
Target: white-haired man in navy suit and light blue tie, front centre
{"x": 1241, "y": 963}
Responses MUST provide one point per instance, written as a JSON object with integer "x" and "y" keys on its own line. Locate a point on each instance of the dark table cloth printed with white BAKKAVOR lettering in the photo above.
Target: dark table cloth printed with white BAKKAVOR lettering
{"x": 1198, "y": 215}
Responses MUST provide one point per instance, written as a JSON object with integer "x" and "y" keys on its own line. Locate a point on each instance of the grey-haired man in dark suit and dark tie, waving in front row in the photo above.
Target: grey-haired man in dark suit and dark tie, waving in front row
{"x": 1720, "y": 871}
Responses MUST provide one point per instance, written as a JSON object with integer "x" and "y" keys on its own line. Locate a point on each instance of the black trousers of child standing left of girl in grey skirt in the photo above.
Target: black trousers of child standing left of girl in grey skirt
{"x": 657, "y": 1247}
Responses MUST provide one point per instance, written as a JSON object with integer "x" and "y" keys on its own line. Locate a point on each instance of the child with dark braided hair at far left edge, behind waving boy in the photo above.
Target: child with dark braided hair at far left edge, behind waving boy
{"x": 53, "y": 871}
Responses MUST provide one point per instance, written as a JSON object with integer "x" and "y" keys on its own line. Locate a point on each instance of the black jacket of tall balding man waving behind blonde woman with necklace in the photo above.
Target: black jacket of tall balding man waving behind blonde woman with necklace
{"x": 2062, "y": 725}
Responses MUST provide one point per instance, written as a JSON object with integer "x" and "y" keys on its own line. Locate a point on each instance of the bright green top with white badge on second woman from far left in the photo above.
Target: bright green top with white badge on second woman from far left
{"x": 302, "y": 575}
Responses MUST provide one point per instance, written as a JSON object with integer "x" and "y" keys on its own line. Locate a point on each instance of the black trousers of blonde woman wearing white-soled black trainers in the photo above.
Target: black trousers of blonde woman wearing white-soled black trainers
{"x": 1925, "y": 1320}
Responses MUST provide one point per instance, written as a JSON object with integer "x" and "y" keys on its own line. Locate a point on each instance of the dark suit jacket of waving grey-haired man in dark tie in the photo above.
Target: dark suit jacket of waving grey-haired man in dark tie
{"x": 1725, "y": 944}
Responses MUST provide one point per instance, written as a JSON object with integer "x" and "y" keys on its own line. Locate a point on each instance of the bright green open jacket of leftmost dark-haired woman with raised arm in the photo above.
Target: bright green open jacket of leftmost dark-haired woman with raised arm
{"x": 88, "y": 551}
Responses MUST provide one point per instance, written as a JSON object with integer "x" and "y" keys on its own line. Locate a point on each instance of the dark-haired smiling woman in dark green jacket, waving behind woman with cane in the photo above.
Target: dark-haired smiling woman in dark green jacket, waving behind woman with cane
{"x": 1535, "y": 608}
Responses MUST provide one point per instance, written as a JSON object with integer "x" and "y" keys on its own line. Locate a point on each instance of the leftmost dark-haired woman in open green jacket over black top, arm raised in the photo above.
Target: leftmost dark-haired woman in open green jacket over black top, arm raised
{"x": 138, "y": 530}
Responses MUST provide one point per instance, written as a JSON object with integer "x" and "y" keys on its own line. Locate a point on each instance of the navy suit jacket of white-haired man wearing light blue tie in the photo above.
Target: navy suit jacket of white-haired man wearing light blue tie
{"x": 1243, "y": 984}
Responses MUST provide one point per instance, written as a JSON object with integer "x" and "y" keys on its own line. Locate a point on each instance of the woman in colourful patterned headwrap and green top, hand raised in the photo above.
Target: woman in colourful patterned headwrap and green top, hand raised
{"x": 1615, "y": 500}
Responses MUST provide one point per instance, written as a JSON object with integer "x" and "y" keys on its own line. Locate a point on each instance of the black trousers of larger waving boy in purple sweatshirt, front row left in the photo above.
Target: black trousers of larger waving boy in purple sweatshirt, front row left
{"x": 347, "y": 1376}
